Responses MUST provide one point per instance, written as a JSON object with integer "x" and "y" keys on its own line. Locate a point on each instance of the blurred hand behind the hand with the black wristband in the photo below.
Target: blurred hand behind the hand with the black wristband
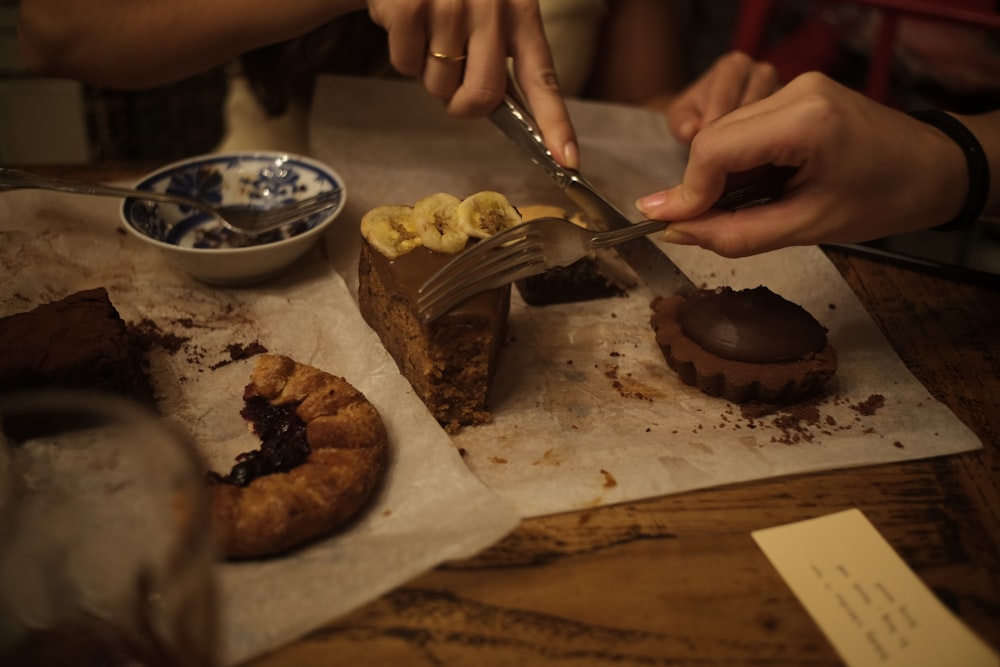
{"x": 734, "y": 80}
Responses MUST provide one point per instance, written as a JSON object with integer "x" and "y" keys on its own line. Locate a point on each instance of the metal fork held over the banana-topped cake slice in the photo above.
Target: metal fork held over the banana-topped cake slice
{"x": 516, "y": 253}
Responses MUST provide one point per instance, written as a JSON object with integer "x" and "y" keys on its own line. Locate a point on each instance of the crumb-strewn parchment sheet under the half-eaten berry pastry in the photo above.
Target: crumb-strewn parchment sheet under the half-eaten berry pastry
{"x": 430, "y": 509}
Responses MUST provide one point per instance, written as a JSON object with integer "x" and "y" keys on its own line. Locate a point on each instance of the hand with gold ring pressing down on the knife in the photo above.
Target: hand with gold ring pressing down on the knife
{"x": 459, "y": 51}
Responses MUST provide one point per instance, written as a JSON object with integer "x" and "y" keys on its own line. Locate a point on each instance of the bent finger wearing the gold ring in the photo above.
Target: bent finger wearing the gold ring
{"x": 446, "y": 57}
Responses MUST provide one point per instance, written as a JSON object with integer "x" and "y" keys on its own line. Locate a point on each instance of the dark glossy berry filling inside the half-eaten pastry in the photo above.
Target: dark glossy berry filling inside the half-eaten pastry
{"x": 283, "y": 442}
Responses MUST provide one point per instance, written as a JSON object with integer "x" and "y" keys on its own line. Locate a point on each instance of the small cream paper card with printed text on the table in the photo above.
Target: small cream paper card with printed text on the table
{"x": 869, "y": 604}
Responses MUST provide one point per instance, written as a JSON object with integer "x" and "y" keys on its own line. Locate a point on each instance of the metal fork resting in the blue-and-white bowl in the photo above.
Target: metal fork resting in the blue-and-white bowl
{"x": 237, "y": 218}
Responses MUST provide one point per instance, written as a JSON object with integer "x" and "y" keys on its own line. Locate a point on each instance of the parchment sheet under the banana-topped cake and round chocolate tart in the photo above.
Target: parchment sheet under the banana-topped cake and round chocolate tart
{"x": 586, "y": 412}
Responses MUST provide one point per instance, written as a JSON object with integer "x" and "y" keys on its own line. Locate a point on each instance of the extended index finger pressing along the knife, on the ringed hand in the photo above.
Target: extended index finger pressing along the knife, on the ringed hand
{"x": 535, "y": 72}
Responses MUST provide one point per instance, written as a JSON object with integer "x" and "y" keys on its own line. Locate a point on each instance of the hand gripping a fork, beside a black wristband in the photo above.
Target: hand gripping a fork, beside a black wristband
{"x": 864, "y": 171}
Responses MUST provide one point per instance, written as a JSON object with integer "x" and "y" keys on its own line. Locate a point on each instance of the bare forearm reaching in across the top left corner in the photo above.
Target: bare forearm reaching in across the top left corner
{"x": 134, "y": 44}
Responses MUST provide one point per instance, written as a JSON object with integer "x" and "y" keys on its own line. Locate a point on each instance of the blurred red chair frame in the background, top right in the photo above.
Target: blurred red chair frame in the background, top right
{"x": 815, "y": 43}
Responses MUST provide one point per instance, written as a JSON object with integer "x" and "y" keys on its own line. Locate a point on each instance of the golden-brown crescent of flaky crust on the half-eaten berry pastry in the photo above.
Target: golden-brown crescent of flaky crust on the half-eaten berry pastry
{"x": 347, "y": 461}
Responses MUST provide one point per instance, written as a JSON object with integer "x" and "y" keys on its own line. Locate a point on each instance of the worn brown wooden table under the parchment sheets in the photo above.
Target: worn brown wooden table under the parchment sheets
{"x": 678, "y": 580}
